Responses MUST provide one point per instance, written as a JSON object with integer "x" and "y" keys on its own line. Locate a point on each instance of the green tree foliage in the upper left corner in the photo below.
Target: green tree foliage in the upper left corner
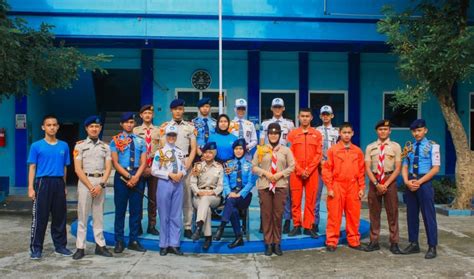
{"x": 29, "y": 55}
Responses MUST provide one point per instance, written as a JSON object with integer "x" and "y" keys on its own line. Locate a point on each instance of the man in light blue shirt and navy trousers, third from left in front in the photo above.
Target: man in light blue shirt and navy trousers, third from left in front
{"x": 129, "y": 159}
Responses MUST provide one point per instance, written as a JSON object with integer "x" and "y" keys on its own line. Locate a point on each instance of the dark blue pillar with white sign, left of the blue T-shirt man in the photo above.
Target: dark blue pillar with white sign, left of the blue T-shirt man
{"x": 21, "y": 146}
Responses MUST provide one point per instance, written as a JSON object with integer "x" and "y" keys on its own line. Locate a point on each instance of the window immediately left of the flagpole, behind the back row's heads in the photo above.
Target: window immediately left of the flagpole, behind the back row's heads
{"x": 191, "y": 98}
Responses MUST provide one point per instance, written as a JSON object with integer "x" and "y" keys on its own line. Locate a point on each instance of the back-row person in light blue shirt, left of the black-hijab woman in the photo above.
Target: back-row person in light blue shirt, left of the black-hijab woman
{"x": 204, "y": 124}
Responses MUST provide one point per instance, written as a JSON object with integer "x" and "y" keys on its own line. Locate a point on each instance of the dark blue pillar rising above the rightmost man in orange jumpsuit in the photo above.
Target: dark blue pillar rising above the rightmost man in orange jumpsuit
{"x": 354, "y": 94}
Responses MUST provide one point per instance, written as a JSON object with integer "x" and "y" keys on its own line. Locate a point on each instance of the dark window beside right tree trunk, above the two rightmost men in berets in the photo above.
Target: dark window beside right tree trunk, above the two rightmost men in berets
{"x": 399, "y": 117}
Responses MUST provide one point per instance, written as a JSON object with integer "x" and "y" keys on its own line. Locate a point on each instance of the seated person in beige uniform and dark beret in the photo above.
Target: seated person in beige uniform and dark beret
{"x": 206, "y": 184}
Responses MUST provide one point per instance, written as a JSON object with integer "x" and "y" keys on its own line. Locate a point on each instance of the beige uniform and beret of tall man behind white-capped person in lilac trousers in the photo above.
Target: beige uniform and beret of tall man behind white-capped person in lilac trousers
{"x": 186, "y": 134}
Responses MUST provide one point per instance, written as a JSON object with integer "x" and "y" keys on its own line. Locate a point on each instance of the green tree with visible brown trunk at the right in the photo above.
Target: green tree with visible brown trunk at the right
{"x": 435, "y": 46}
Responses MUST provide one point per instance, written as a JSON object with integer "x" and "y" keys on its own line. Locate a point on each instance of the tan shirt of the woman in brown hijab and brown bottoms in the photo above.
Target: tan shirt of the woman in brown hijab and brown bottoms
{"x": 285, "y": 164}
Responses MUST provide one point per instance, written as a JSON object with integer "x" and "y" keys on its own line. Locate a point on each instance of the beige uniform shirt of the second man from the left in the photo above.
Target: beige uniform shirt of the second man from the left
{"x": 93, "y": 155}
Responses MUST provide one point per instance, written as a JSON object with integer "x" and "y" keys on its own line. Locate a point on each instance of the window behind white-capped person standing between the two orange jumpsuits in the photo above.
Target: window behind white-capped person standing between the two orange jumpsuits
{"x": 336, "y": 99}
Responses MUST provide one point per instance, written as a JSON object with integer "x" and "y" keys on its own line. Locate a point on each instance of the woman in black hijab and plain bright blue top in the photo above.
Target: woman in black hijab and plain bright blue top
{"x": 223, "y": 139}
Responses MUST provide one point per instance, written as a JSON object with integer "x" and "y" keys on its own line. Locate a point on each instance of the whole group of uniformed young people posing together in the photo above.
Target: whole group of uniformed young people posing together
{"x": 190, "y": 168}
